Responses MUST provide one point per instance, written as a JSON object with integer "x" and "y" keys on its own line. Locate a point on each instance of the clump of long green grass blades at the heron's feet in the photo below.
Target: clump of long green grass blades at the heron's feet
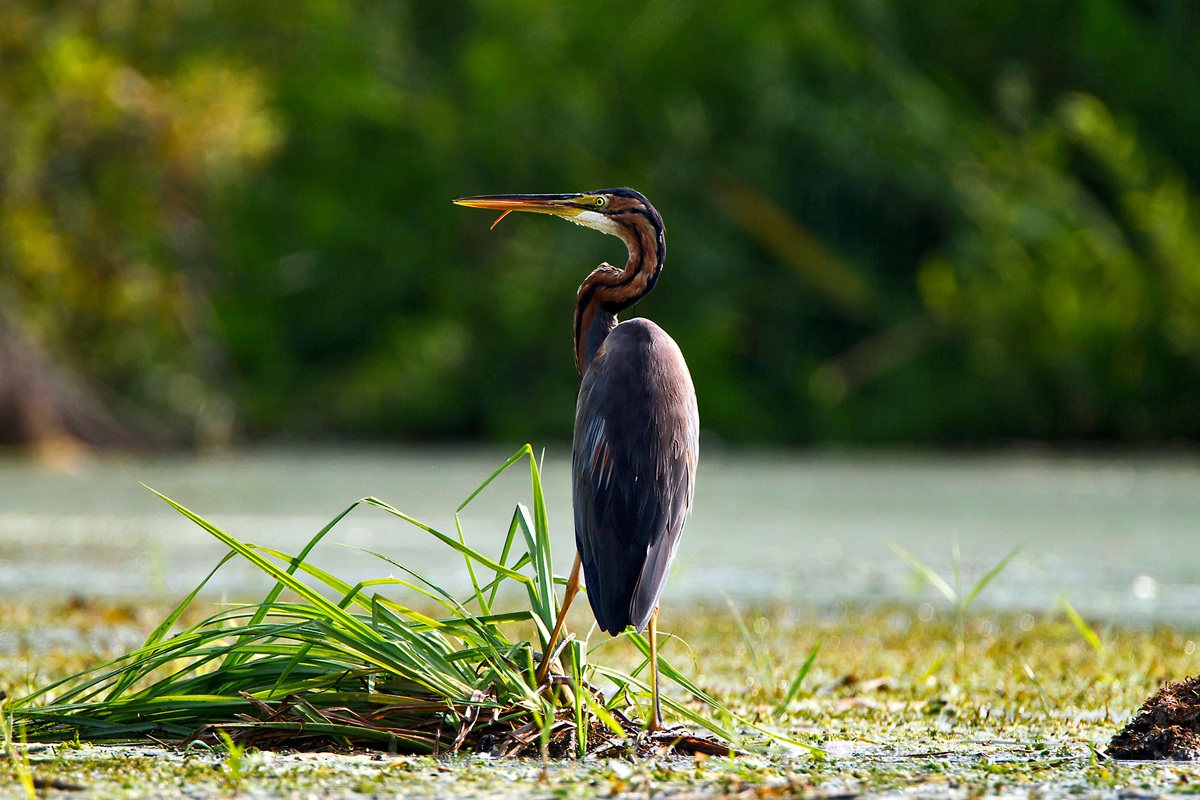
{"x": 321, "y": 663}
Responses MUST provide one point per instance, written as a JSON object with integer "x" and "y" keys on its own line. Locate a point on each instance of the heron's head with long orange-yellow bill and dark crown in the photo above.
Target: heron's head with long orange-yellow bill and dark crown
{"x": 613, "y": 210}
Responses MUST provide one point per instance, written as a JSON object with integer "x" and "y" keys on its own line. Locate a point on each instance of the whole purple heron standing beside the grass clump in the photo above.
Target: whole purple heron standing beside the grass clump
{"x": 637, "y": 423}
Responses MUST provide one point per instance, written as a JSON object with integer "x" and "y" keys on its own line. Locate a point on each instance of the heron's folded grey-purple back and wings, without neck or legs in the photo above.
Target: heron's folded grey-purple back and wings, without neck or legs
{"x": 637, "y": 447}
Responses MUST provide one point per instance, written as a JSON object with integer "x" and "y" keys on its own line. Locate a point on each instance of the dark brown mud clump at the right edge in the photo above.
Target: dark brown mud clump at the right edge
{"x": 1167, "y": 726}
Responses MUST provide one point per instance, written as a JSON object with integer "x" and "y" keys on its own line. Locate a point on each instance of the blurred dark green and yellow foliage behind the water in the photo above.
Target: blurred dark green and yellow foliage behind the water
{"x": 887, "y": 221}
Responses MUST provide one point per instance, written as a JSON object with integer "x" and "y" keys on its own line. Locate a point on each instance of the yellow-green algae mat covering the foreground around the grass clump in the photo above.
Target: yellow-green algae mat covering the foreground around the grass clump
{"x": 1027, "y": 712}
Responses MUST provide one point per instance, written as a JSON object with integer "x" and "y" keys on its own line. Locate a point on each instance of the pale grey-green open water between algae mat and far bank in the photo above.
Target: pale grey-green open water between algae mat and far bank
{"x": 1115, "y": 536}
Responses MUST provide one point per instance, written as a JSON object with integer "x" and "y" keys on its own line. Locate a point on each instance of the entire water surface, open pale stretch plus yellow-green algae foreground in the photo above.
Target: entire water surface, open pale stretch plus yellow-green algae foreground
{"x": 89, "y": 562}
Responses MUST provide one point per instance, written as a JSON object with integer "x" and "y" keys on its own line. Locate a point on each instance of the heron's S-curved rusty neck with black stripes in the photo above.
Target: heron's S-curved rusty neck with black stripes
{"x": 608, "y": 291}
